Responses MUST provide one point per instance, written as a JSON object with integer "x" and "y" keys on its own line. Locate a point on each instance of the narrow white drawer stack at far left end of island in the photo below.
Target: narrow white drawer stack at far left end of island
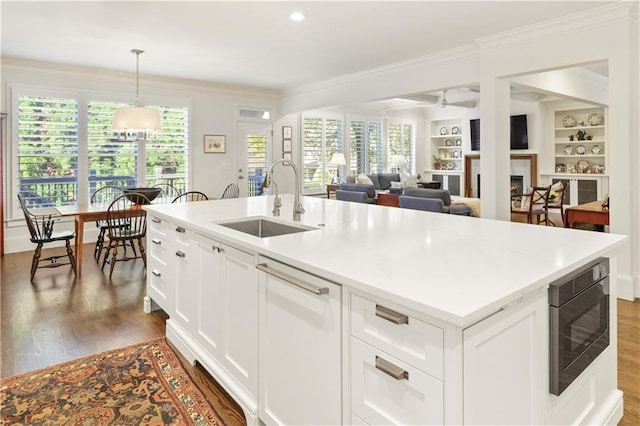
{"x": 160, "y": 288}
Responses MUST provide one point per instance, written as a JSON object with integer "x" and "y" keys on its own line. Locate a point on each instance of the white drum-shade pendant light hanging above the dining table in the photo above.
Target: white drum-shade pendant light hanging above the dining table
{"x": 136, "y": 122}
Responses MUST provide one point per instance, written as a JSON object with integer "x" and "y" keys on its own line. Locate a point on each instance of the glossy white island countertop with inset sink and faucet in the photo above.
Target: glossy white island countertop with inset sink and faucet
{"x": 455, "y": 268}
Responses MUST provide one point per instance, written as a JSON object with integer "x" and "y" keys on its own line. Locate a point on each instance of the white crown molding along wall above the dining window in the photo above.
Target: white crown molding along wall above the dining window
{"x": 50, "y": 69}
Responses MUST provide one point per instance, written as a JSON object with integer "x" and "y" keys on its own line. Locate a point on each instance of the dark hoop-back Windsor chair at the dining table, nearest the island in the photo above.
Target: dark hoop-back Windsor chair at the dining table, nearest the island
{"x": 126, "y": 222}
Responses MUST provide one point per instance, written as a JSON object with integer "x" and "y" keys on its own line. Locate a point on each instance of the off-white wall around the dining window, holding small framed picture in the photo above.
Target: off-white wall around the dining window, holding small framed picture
{"x": 213, "y": 110}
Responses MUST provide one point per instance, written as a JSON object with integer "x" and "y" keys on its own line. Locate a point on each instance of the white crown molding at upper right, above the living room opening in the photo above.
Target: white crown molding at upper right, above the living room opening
{"x": 580, "y": 21}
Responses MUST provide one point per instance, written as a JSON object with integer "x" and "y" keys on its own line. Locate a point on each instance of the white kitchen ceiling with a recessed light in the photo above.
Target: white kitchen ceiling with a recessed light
{"x": 255, "y": 43}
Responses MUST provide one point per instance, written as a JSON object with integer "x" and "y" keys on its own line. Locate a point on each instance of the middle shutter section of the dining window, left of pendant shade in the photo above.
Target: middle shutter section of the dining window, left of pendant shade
{"x": 111, "y": 161}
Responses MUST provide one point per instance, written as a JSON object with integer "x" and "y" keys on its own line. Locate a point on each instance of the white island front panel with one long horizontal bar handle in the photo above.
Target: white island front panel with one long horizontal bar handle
{"x": 300, "y": 347}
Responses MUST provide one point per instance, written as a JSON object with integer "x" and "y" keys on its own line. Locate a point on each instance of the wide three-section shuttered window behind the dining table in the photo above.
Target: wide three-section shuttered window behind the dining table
{"x": 55, "y": 168}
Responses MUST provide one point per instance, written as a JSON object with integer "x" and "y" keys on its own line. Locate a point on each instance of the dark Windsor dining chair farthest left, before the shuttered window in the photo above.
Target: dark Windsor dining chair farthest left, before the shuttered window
{"x": 41, "y": 230}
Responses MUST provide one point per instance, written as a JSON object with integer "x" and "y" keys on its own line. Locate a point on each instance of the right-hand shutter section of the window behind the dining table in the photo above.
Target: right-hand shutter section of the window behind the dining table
{"x": 167, "y": 152}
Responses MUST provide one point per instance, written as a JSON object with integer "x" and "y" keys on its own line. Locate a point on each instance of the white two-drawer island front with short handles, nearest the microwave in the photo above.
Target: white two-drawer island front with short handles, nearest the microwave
{"x": 396, "y": 366}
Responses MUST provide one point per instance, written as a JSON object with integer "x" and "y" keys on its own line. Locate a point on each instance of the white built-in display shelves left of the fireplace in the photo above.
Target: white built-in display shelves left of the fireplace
{"x": 446, "y": 144}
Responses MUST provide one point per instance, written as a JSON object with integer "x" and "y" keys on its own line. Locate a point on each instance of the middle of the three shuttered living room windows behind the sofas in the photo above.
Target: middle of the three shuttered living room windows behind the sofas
{"x": 365, "y": 154}
